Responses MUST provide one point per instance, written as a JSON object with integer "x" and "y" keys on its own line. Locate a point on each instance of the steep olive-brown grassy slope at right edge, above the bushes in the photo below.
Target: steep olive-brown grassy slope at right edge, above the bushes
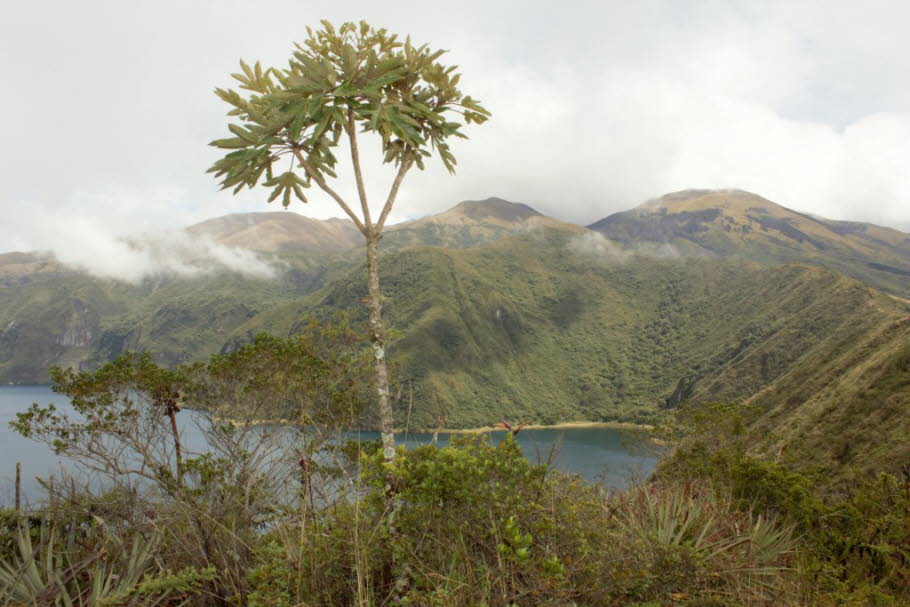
{"x": 846, "y": 408}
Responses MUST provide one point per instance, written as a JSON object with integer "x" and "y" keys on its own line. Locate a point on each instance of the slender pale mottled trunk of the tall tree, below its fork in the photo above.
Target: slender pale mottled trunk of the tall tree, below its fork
{"x": 378, "y": 339}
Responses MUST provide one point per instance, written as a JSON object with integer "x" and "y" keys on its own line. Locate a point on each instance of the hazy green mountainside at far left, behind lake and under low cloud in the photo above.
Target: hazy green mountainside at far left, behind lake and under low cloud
{"x": 68, "y": 318}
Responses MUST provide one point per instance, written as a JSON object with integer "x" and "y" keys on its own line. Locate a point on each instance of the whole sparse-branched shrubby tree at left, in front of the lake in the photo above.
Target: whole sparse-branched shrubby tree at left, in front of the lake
{"x": 215, "y": 479}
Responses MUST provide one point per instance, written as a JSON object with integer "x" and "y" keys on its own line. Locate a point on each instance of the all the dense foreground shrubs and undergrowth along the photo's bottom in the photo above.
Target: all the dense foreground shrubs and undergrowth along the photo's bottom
{"x": 284, "y": 517}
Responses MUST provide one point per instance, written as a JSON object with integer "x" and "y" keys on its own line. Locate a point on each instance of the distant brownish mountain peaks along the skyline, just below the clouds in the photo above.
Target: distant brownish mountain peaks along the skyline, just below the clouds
{"x": 717, "y": 222}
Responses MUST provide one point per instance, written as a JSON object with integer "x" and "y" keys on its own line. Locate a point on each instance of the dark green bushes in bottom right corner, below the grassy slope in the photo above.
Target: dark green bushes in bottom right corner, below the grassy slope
{"x": 855, "y": 538}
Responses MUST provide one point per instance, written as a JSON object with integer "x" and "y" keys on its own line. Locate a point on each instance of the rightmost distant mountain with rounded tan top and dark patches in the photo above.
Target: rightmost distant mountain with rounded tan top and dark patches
{"x": 736, "y": 223}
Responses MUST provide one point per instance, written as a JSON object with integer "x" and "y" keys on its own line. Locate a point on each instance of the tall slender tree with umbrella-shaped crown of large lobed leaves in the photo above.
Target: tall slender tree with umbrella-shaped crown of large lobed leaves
{"x": 338, "y": 82}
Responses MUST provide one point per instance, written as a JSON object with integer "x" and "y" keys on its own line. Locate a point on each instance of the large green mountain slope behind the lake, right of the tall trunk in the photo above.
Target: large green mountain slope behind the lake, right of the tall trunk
{"x": 529, "y": 328}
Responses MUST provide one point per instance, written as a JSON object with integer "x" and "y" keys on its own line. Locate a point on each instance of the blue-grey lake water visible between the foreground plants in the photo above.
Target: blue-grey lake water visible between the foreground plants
{"x": 596, "y": 454}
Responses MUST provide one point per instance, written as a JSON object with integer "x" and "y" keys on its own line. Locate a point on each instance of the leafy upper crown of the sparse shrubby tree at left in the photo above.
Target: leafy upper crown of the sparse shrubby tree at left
{"x": 123, "y": 423}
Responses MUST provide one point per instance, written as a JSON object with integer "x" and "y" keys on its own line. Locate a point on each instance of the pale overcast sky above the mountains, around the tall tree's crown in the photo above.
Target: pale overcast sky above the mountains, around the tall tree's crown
{"x": 108, "y": 107}
